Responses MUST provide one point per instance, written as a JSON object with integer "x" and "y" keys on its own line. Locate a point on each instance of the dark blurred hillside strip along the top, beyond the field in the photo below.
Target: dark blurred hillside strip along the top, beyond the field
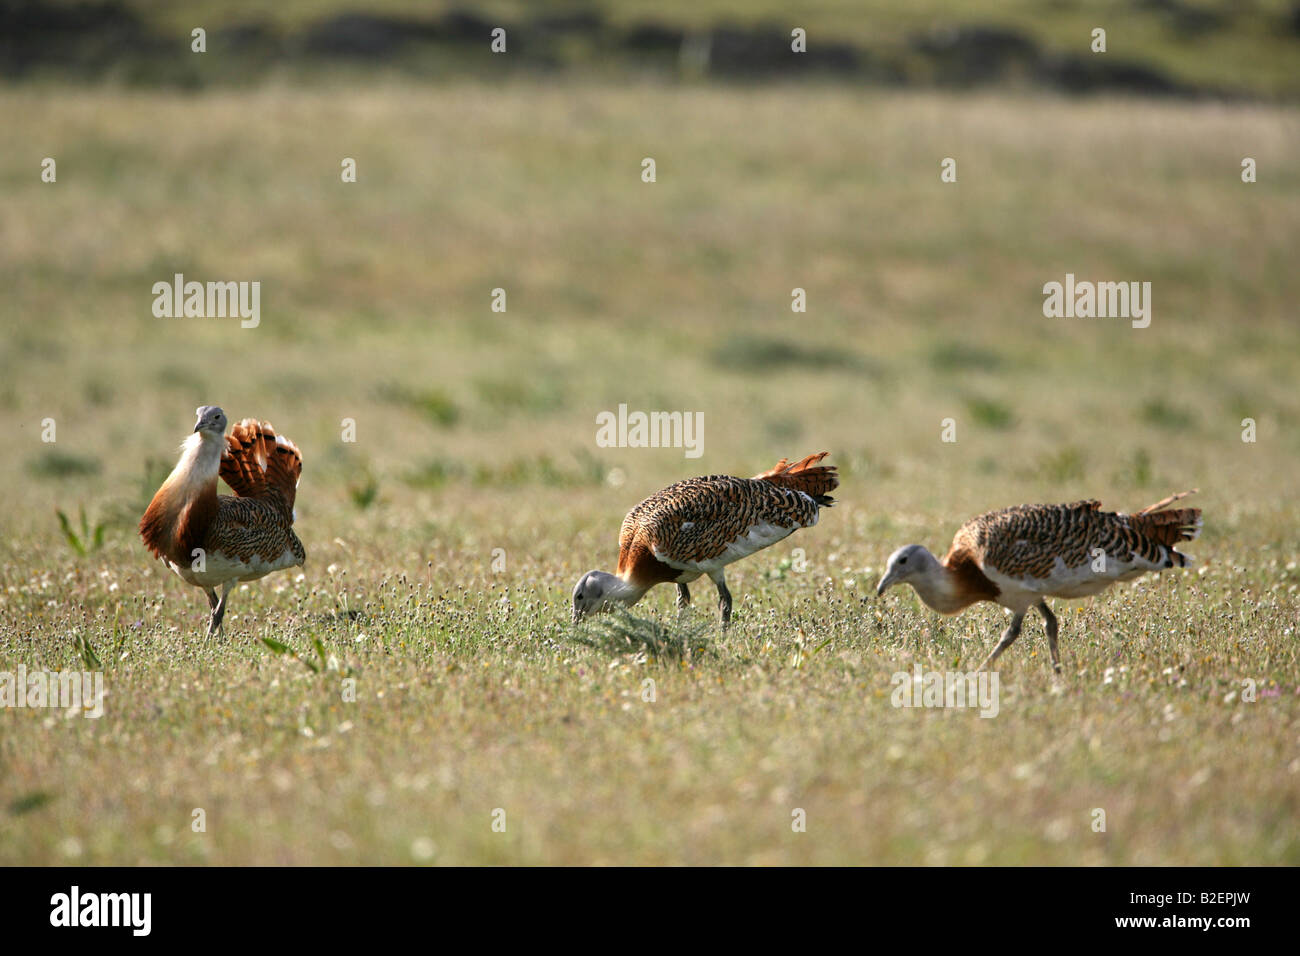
{"x": 1246, "y": 49}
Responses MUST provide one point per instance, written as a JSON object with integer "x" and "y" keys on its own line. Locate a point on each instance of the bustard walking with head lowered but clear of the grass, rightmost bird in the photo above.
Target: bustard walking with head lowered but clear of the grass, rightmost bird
{"x": 1022, "y": 556}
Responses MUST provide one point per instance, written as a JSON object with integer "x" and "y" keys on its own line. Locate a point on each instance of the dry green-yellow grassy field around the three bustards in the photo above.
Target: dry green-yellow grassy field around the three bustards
{"x": 476, "y": 431}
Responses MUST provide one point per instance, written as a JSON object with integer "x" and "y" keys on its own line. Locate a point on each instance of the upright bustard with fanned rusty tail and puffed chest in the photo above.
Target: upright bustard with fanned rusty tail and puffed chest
{"x": 214, "y": 540}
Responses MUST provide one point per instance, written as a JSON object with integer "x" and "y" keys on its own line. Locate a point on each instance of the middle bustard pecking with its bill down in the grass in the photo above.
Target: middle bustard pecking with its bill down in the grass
{"x": 703, "y": 525}
